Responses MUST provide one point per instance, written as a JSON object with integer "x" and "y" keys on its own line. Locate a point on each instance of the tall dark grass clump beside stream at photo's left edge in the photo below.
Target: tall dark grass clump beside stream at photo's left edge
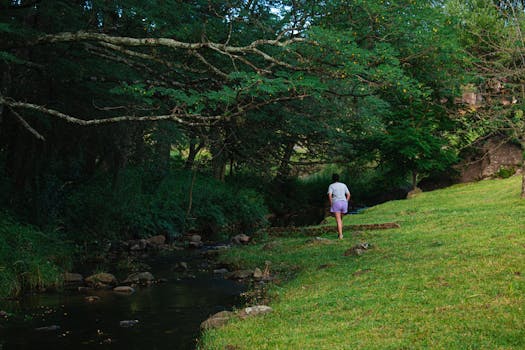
{"x": 30, "y": 259}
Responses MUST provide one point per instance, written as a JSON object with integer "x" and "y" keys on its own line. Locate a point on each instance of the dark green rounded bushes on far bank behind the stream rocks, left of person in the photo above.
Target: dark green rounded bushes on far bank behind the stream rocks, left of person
{"x": 140, "y": 204}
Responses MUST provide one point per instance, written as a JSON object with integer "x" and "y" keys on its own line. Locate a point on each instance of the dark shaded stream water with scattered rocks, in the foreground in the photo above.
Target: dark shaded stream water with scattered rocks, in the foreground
{"x": 168, "y": 314}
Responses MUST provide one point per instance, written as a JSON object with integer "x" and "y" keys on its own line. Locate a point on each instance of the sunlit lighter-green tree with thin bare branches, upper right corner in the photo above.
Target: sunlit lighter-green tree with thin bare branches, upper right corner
{"x": 492, "y": 32}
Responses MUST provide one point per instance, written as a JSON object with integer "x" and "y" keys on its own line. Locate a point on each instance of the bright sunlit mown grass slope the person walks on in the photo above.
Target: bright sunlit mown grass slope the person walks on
{"x": 453, "y": 276}
